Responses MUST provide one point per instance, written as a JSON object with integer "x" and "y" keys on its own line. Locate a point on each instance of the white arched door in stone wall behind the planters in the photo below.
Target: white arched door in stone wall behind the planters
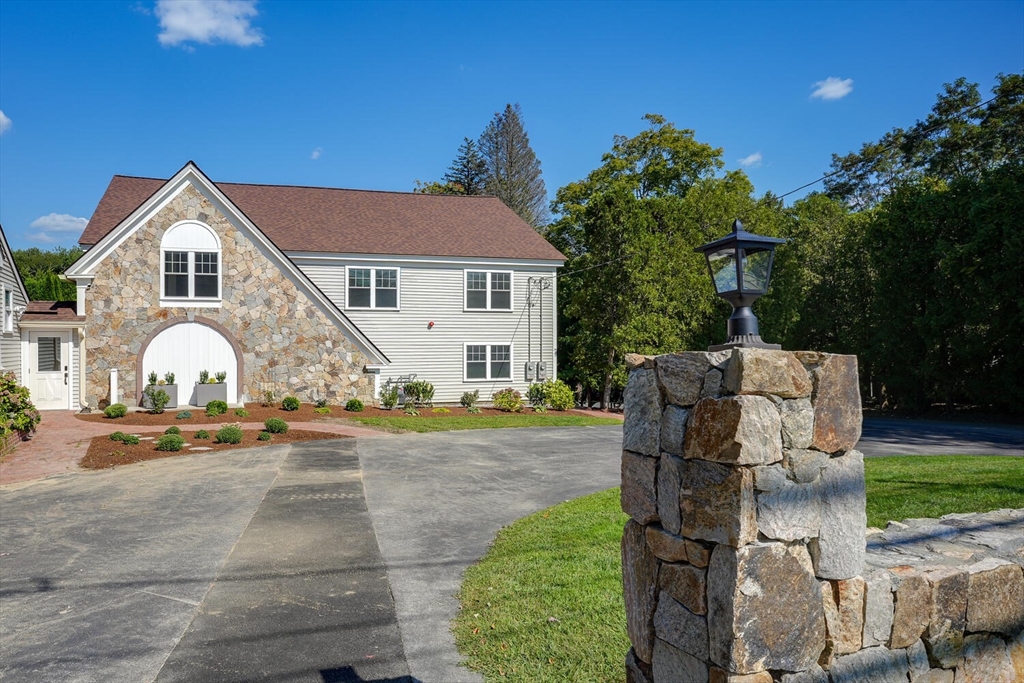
{"x": 188, "y": 349}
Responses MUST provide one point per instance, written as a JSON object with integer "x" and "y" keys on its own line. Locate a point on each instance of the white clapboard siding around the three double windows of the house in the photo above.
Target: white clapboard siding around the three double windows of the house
{"x": 435, "y": 292}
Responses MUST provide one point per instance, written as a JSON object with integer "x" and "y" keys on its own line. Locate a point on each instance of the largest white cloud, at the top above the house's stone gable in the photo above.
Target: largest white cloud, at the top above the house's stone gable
{"x": 208, "y": 22}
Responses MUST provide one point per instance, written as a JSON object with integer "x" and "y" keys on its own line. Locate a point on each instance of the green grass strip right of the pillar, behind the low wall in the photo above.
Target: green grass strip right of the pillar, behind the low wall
{"x": 907, "y": 487}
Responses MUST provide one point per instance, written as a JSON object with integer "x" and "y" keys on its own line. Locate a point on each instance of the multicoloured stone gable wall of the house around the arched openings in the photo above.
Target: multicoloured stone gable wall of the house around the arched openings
{"x": 288, "y": 343}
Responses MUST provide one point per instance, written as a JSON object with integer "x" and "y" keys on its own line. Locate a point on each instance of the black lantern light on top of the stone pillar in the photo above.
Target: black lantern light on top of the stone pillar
{"x": 741, "y": 267}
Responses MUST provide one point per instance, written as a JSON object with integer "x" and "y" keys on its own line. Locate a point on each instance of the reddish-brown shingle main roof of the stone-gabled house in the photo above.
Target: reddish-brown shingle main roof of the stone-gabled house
{"x": 354, "y": 222}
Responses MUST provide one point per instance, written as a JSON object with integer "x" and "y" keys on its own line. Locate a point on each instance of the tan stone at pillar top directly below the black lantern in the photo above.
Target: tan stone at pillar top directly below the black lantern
{"x": 759, "y": 371}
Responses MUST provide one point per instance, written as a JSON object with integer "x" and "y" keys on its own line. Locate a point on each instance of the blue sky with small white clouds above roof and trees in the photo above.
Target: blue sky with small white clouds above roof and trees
{"x": 377, "y": 96}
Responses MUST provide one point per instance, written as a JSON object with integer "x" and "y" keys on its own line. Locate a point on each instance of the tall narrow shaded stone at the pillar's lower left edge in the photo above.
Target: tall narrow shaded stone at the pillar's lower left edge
{"x": 639, "y": 589}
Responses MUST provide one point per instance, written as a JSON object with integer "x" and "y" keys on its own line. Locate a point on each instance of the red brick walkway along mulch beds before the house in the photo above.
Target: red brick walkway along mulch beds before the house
{"x": 62, "y": 441}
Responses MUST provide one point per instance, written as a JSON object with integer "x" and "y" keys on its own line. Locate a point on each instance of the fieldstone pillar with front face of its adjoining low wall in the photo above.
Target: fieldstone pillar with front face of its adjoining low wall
{"x": 744, "y": 559}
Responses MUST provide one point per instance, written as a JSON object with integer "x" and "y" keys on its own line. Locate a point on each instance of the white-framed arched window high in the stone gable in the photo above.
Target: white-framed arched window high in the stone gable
{"x": 190, "y": 266}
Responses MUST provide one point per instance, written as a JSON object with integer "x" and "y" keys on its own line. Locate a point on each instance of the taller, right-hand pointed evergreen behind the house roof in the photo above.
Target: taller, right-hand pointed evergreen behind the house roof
{"x": 514, "y": 173}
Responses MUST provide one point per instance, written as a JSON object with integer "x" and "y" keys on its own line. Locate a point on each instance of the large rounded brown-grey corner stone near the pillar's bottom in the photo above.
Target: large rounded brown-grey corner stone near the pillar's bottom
{"x": 763, "y": 609}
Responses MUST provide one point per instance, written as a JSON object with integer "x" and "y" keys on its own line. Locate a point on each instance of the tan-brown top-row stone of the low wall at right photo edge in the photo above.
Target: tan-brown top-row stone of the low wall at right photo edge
{"x": 996, "y": 597}
